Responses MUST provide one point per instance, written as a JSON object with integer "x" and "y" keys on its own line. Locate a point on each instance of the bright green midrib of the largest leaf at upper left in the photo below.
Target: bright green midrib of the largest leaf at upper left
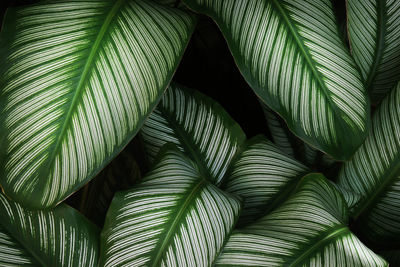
{"x": 81, "y": 84}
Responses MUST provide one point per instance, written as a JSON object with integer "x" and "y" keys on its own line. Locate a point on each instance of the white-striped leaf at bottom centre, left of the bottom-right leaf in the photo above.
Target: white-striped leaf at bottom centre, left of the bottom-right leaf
{"x": 175, "y": 217}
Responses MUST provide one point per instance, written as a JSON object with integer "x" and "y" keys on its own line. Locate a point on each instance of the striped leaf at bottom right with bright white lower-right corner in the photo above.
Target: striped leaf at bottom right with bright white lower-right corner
{"x": 309, "y": 229}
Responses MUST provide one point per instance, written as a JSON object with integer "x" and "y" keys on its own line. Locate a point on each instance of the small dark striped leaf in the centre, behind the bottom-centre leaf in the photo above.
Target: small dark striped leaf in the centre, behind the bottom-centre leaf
{"x": 199, "y": 126}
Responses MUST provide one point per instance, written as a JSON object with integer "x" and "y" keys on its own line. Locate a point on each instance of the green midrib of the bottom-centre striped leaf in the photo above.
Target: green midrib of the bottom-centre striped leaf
{"x": 176, "y": 220}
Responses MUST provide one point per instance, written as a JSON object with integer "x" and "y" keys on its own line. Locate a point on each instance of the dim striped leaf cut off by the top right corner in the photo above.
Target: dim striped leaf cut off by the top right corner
{"x": 374, "y": 32}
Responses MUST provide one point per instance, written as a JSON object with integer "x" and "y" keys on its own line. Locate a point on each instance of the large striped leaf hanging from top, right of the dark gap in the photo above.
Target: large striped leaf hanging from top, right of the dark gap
{"x": 291, "y": 54}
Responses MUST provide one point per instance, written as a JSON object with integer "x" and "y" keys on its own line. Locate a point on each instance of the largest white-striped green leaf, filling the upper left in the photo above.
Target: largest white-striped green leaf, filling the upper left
{"x": 77, "y": 80}
